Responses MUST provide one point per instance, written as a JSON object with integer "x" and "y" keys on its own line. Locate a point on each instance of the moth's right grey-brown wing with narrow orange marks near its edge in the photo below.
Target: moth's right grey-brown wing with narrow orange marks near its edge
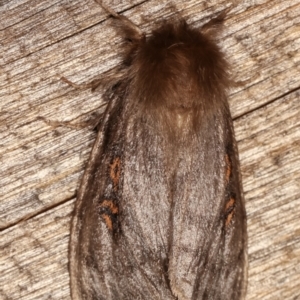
{"x": 208, "y": 249}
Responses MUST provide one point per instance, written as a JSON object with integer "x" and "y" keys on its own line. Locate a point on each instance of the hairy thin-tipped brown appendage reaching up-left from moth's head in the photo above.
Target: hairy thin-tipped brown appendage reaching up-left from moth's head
{"x": 129, "y": 30}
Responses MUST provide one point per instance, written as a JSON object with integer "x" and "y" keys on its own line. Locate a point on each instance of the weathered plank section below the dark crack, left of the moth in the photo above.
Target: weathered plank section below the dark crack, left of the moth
{"x": 33, "y": 257}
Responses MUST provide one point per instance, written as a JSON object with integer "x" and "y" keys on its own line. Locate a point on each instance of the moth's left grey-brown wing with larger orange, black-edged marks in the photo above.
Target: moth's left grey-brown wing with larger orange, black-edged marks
{"x": 119, "y": 237}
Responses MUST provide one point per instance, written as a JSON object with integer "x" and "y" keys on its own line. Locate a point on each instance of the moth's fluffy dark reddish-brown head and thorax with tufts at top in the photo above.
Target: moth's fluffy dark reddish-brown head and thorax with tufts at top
{"x": 176, "y": 72}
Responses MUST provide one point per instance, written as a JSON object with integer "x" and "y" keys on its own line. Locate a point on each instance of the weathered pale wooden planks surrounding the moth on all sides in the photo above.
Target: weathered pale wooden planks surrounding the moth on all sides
{"x": 41, "y": 166}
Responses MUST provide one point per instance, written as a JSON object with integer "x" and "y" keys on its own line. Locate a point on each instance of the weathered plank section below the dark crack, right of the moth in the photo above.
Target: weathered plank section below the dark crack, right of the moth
{"x": 269, "y": 145}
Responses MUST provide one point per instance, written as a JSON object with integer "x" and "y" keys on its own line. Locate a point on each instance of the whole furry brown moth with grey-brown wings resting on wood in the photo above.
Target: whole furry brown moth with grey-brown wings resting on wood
{"x": 160, "y": 212}
